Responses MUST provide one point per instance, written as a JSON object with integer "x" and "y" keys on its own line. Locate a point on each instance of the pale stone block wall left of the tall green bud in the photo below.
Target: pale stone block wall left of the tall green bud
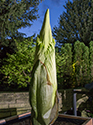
{"x": 14, "y": 104}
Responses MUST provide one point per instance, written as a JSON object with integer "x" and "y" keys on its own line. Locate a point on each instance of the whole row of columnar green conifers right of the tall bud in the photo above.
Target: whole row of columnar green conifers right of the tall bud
{"x": 73, "y": 65}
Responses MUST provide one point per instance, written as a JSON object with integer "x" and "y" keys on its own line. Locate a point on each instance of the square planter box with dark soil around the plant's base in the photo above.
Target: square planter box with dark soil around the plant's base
{"x": 24, "y": 119}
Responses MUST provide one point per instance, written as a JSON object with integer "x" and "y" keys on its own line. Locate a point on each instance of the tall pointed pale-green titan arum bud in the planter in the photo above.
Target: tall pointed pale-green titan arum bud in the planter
{"x": 43, "y": 88}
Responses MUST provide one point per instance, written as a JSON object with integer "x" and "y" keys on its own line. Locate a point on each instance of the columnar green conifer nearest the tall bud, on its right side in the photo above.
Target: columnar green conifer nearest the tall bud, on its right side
{"x": 64, "y": 66}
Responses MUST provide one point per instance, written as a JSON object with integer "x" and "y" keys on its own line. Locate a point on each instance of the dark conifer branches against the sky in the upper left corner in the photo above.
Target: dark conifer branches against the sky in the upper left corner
{"x": 15, "y": 14}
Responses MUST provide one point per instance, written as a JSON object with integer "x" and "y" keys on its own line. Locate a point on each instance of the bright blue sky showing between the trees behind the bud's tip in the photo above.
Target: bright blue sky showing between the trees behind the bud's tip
{"x": 56, "y": 9}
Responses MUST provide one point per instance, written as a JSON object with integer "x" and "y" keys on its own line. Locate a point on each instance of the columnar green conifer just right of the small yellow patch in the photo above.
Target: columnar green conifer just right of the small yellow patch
{"x": 81, "y": 61}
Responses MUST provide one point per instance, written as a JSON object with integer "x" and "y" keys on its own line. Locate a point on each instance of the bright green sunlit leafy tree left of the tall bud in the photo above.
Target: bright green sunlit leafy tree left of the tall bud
{"x": 17, "y": 67}
